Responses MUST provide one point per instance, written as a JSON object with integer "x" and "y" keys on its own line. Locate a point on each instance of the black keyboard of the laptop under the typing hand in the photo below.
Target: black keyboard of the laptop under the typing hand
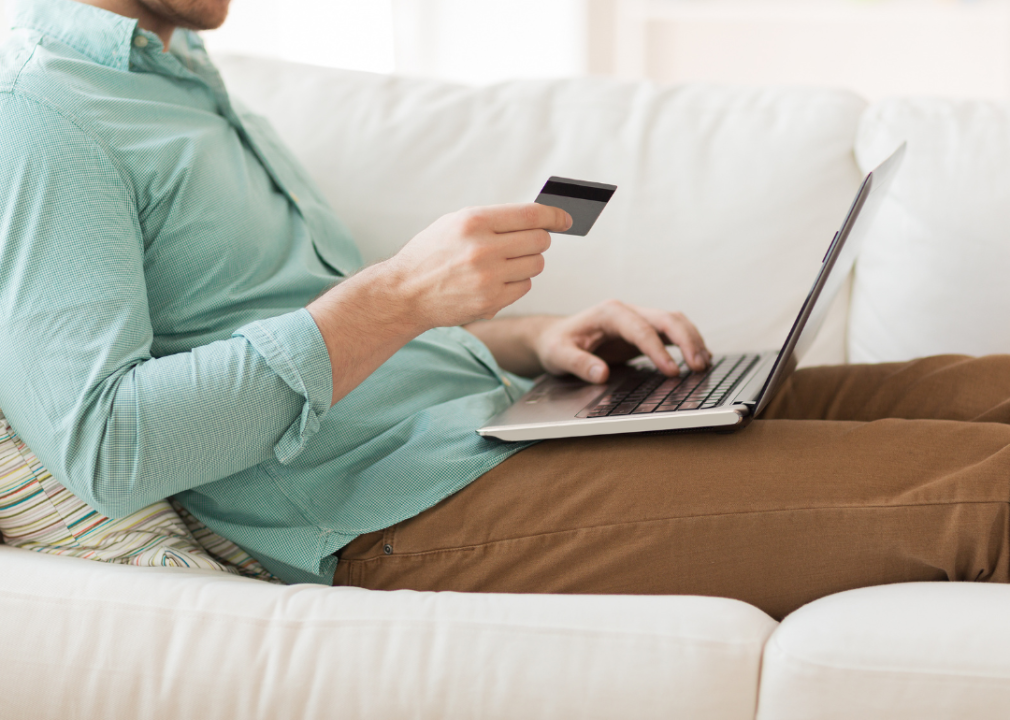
{"x": 651, "y": 391}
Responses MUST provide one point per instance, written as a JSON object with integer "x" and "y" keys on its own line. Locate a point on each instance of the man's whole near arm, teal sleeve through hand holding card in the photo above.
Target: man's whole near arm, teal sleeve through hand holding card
{"x": 123, "y": 429}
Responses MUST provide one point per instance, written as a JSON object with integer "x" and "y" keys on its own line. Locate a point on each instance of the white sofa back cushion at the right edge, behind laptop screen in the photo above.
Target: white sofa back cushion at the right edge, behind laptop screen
{"x": 934, "y": 276}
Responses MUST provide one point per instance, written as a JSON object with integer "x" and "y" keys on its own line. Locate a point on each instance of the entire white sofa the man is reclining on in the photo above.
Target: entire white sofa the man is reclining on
{"x": 728, "y": 199}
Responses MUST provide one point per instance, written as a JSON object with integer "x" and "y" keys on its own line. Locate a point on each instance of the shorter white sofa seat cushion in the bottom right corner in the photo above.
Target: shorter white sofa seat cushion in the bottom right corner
{"x": 916, "y": 652}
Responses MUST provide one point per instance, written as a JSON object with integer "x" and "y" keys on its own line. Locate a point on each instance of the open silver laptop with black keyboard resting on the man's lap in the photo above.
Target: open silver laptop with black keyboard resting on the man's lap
{"x": 732, "y": 392}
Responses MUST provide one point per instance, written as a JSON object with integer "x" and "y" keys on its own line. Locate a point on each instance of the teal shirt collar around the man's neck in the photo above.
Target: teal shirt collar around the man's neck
{"x": 104, "y": 37}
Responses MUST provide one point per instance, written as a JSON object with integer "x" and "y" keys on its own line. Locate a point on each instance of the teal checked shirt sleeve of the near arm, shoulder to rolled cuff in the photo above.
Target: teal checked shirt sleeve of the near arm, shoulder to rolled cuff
{"x": 119, "y": 428}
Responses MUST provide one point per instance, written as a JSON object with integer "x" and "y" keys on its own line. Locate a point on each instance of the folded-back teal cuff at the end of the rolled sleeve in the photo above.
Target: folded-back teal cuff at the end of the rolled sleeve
{"x": 293, "y": 348}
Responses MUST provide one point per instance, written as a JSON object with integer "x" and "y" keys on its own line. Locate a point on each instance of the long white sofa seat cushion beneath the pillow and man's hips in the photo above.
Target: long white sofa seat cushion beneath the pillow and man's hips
{"x": 87, "y": 640}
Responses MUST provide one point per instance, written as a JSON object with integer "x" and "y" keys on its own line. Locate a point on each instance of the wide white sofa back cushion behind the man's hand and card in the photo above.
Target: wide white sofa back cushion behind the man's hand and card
{"x": 728, "y": 197}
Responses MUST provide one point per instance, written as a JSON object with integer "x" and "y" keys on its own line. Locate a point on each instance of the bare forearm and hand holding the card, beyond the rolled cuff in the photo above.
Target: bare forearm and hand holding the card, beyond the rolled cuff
{"x": 466, "y": 267}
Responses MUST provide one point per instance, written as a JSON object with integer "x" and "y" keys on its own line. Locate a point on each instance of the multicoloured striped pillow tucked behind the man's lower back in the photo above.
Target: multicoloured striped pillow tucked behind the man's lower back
{"x": 38, "y": 513}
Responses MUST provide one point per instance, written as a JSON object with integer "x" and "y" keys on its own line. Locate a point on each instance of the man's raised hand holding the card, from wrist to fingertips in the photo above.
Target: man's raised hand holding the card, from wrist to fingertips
{"x": 469, "y": 265}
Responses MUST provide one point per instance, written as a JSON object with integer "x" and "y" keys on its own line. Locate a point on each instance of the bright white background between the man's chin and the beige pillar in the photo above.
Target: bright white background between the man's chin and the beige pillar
{"x": 464, "y": 41}
